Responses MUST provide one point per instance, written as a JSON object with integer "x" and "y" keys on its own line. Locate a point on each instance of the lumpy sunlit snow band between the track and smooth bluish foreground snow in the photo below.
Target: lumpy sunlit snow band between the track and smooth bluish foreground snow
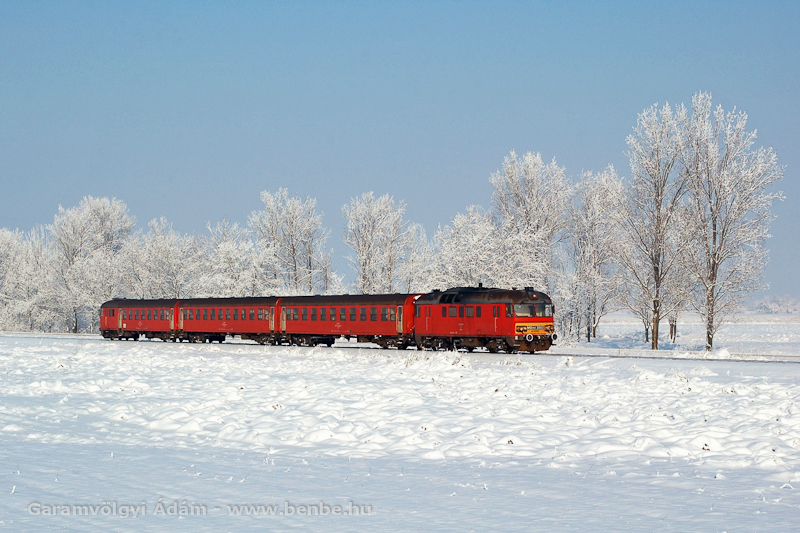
{"x": 369, "y": 403}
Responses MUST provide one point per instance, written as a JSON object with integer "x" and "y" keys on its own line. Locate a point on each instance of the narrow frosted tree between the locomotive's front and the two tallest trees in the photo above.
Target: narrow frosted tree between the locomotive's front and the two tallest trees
{"x": 593, "y": 246}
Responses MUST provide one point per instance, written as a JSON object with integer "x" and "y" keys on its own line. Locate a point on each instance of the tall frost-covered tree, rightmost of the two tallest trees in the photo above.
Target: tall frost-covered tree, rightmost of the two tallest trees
{"x": 729, "y": 208}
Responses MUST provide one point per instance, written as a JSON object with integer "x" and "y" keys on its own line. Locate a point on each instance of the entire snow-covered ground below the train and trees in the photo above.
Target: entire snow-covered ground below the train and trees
{"x": 430, "y": 441}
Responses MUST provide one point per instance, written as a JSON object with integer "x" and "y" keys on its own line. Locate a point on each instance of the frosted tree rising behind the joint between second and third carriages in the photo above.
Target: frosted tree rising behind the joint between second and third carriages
{"x": 291, "y": 231}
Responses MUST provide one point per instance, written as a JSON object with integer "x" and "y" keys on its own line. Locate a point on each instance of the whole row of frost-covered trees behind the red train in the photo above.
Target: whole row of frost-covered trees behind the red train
{"x": 685, "y": 232}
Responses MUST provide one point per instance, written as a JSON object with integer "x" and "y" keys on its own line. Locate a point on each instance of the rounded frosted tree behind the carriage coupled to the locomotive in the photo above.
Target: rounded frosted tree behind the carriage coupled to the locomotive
{"x": 380, "y": 238}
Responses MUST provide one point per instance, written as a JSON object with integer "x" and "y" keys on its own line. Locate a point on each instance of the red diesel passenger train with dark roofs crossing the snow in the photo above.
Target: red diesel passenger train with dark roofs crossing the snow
{"x": 507, "y": 320}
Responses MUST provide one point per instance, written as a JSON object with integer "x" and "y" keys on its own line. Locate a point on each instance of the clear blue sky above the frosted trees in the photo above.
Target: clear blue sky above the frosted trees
{"x": 189, "y": 110}
